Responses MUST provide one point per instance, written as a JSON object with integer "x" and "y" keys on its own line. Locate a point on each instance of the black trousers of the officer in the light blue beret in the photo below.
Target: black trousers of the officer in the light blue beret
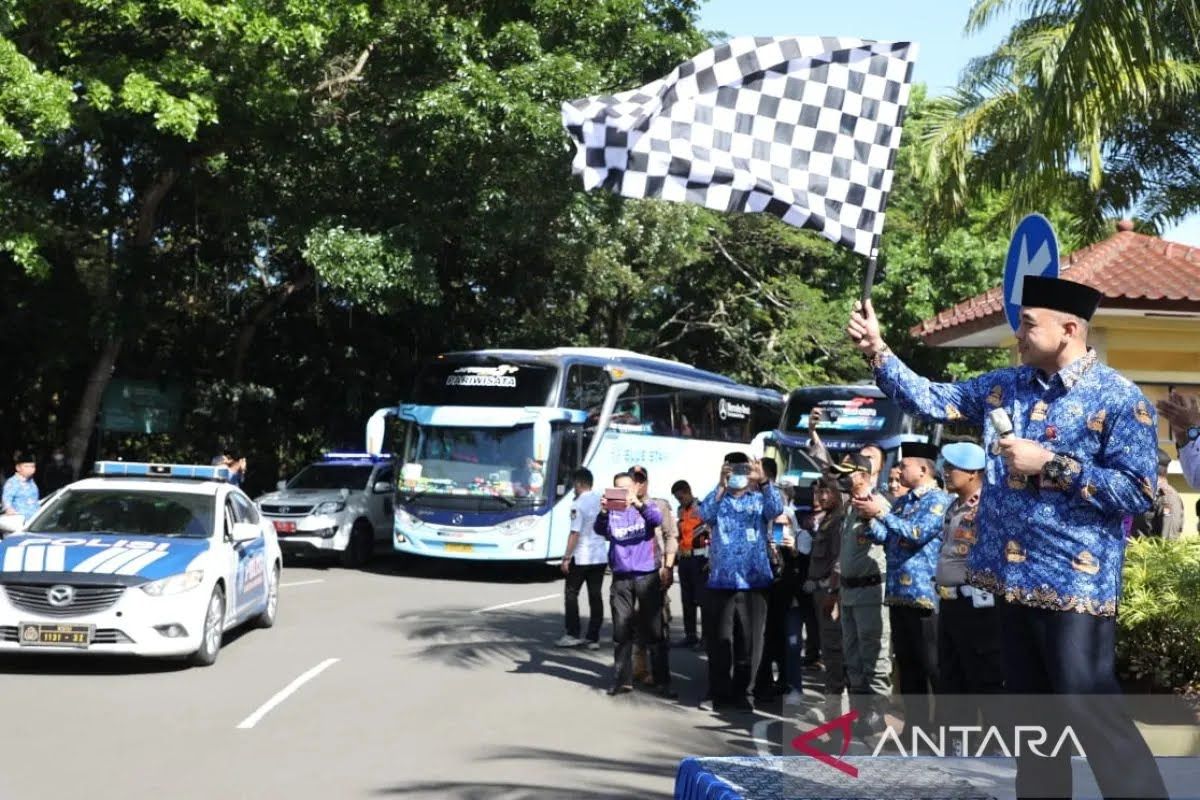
{"x": 970, "y": 663}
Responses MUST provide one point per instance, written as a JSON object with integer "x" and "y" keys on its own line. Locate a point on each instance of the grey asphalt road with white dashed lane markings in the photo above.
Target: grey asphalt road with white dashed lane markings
{"x": 435, "y": 694}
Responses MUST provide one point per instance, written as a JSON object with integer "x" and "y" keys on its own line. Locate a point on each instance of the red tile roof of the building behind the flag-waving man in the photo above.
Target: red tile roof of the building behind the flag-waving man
{"x": 1133, "y": 270}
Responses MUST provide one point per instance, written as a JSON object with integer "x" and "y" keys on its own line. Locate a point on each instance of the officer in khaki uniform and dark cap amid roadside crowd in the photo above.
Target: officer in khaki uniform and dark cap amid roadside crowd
{"x": 866, "y": 631}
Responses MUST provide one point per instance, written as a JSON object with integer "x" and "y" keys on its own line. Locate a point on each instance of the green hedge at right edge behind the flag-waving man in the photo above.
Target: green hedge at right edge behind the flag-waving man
{"x": 1159, "y": 640}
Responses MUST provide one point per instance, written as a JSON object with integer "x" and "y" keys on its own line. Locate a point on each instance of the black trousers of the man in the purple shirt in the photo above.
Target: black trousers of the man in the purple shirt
{"x": 637, "y": 601}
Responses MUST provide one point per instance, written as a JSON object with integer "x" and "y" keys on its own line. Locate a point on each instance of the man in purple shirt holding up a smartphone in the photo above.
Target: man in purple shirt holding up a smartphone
{"x": 637, "y": 591}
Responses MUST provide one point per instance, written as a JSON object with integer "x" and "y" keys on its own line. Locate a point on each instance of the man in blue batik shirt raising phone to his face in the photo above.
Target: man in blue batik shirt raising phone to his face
{"x": 740, "y": 512}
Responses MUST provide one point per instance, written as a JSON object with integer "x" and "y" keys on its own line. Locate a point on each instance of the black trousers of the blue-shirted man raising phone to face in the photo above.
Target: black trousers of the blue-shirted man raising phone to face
{"x": 728, "y": 607}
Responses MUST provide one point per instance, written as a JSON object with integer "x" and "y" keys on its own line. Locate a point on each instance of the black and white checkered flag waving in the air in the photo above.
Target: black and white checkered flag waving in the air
{"x": 802, "y": 128}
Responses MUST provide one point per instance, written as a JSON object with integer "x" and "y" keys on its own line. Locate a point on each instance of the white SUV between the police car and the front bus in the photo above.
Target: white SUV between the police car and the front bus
{"x": 340, "y": 506}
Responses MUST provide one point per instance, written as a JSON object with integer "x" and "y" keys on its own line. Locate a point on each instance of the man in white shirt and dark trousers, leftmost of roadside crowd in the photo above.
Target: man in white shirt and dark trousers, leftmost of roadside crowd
{"x": 585, "y": 562}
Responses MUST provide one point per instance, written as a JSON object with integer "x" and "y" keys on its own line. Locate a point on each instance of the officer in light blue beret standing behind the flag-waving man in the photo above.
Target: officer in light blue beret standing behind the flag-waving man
{"x": 969, "y": 653}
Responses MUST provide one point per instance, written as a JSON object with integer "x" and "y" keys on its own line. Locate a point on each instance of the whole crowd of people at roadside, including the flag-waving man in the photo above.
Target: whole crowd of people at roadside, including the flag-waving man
{"x": 983, "y": 568}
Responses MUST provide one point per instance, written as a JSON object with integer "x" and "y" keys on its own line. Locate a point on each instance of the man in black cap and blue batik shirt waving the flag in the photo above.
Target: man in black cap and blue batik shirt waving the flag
{"x": 1082, "y": 455}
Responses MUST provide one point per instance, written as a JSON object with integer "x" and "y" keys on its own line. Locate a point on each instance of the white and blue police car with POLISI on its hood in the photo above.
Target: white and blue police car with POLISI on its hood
{"x": 143, "y": 560}
